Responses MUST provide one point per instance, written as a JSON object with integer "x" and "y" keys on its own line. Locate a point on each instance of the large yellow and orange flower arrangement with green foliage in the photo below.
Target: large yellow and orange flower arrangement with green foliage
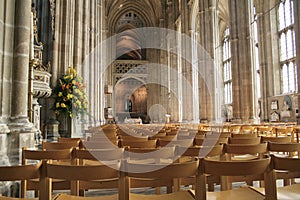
{"x": 71, "y": 99}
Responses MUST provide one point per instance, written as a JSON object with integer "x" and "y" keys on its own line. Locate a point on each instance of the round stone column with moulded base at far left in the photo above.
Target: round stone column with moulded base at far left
{"x": 22, "y": 131}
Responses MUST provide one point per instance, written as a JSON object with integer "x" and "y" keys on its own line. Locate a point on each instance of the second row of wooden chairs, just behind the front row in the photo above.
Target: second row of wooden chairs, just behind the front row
{"x": 150, "y": 154}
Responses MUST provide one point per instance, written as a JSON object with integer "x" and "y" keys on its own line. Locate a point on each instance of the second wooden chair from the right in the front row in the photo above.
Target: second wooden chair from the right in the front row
{"x": 230, "y": 168}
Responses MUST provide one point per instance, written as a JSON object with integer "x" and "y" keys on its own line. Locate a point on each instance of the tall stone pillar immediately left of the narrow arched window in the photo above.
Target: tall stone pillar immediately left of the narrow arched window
{"x": 207, "y": 40}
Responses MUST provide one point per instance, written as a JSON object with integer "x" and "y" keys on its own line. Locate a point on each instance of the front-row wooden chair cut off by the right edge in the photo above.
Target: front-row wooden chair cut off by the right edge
{"x": 292, "y": 166}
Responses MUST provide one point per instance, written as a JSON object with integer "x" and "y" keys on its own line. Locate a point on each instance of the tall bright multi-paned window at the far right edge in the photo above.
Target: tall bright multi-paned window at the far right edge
{"x": 287, "y": 52}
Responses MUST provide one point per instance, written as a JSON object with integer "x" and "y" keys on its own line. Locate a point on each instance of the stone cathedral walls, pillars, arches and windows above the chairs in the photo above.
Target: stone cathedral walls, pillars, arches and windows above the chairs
{"x": 143, "y": 62}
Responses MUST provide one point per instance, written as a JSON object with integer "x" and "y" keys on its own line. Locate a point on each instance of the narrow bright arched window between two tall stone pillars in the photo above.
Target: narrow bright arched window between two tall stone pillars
{"x": 227, "y": 77}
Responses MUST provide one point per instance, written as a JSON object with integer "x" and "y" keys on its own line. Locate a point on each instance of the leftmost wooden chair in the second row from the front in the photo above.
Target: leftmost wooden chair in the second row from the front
{"x": 29, "y": 155}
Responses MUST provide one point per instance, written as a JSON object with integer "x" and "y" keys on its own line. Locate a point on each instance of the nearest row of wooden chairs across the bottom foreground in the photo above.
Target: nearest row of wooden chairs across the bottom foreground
{"x": 46, "y": 171}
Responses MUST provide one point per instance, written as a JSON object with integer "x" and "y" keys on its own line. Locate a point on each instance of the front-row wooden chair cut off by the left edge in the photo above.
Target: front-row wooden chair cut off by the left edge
{"x": 19, "y": 173}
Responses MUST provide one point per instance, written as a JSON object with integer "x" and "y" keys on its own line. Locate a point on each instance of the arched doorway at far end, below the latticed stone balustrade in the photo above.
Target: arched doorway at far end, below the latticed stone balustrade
{"x": 130, "y": 99}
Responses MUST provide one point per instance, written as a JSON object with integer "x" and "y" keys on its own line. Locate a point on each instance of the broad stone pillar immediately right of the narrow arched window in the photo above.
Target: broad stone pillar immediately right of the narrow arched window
{"x": 242, "y": 65}
